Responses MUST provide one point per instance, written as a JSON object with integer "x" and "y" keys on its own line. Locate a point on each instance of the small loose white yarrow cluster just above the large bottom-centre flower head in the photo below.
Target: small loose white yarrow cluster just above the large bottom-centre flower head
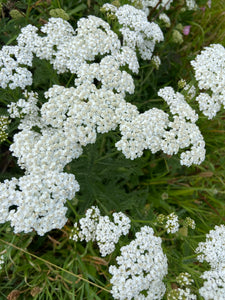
{"x": 94, "y": 227}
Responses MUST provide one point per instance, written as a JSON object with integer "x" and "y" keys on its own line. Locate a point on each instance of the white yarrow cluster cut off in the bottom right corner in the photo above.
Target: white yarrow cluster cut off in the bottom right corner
{"x": 213, "y": 251}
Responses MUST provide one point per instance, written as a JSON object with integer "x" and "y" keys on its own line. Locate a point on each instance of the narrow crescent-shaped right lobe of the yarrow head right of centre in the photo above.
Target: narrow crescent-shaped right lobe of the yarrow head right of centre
{"x": 184, "y": 132}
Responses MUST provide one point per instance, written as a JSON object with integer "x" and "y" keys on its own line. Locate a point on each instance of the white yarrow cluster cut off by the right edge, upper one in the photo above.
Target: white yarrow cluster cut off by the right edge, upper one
{"x": 209, "y": 69}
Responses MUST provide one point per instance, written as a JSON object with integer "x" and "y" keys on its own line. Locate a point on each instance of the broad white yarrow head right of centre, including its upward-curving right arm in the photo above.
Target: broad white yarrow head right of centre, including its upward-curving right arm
{"x": 153, "y": 130}
